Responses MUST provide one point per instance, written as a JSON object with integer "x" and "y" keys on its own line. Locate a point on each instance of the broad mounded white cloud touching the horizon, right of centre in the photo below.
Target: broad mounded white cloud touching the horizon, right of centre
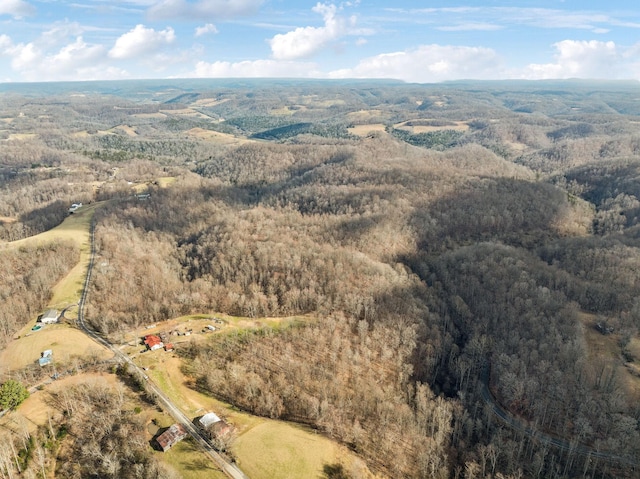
{"x": 429, "y": 63}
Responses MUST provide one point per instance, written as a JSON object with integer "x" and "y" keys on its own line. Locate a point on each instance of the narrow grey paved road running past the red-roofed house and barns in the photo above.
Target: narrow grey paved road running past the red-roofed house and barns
{"x": 230, "y": 469}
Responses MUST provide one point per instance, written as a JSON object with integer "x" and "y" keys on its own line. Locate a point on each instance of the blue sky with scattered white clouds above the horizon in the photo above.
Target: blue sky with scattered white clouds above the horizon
{"x": 410, "y": 40}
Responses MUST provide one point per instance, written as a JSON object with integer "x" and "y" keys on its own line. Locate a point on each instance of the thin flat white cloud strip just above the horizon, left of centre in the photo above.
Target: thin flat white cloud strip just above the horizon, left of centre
{"x": 256, "y": 69}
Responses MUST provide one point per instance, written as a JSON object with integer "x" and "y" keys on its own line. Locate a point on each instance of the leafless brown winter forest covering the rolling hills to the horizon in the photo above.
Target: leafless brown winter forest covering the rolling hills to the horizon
{"x": 439, "y": 239}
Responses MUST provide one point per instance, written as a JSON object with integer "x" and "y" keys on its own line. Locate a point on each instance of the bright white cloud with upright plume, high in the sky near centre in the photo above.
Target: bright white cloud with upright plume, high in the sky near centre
{"x": 305, "y": 41}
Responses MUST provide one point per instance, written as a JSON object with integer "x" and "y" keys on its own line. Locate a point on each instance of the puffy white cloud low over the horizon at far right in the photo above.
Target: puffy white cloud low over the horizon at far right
{"x": 580, "y": 59}
